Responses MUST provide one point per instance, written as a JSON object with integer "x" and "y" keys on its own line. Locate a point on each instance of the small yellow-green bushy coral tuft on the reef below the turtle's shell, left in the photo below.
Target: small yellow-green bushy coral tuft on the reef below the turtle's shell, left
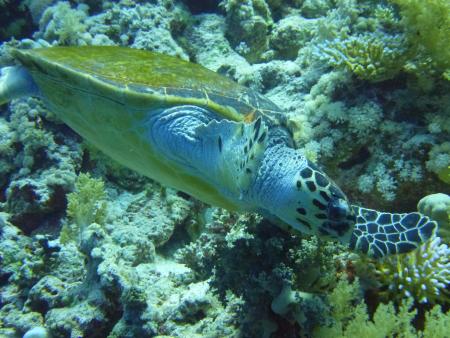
{"x": 86, "y": 205}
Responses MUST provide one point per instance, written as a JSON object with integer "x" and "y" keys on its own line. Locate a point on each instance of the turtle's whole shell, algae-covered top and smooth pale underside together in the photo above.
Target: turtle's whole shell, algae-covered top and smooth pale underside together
{"x": 106, "y": 95}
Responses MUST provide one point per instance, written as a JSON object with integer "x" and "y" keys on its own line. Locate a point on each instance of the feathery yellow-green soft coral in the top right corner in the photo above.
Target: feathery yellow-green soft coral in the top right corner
{"x": 427, "y": 24}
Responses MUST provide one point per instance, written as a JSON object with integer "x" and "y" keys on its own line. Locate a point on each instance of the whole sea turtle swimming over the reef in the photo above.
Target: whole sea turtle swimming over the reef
{"x": 199, "y": 132}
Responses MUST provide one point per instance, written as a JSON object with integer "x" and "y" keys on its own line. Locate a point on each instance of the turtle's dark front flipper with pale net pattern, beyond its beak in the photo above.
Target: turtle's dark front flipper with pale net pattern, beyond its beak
{"x": 381, "y": 233}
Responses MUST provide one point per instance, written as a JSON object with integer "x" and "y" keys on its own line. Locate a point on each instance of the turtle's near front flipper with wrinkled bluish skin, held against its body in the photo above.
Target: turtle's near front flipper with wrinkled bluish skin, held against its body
{"x": 222, "y": 154}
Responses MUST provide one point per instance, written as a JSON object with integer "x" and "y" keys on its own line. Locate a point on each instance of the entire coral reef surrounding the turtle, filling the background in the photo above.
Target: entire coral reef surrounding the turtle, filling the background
{"x": 365, "y": 90}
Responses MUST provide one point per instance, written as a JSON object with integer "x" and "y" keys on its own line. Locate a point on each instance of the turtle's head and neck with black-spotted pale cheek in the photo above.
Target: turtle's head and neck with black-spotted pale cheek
{"x": 296, "y": 191}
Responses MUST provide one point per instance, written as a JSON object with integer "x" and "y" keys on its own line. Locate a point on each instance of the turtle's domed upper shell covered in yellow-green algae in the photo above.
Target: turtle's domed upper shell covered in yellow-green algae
{"x": 137, "y": 77}
